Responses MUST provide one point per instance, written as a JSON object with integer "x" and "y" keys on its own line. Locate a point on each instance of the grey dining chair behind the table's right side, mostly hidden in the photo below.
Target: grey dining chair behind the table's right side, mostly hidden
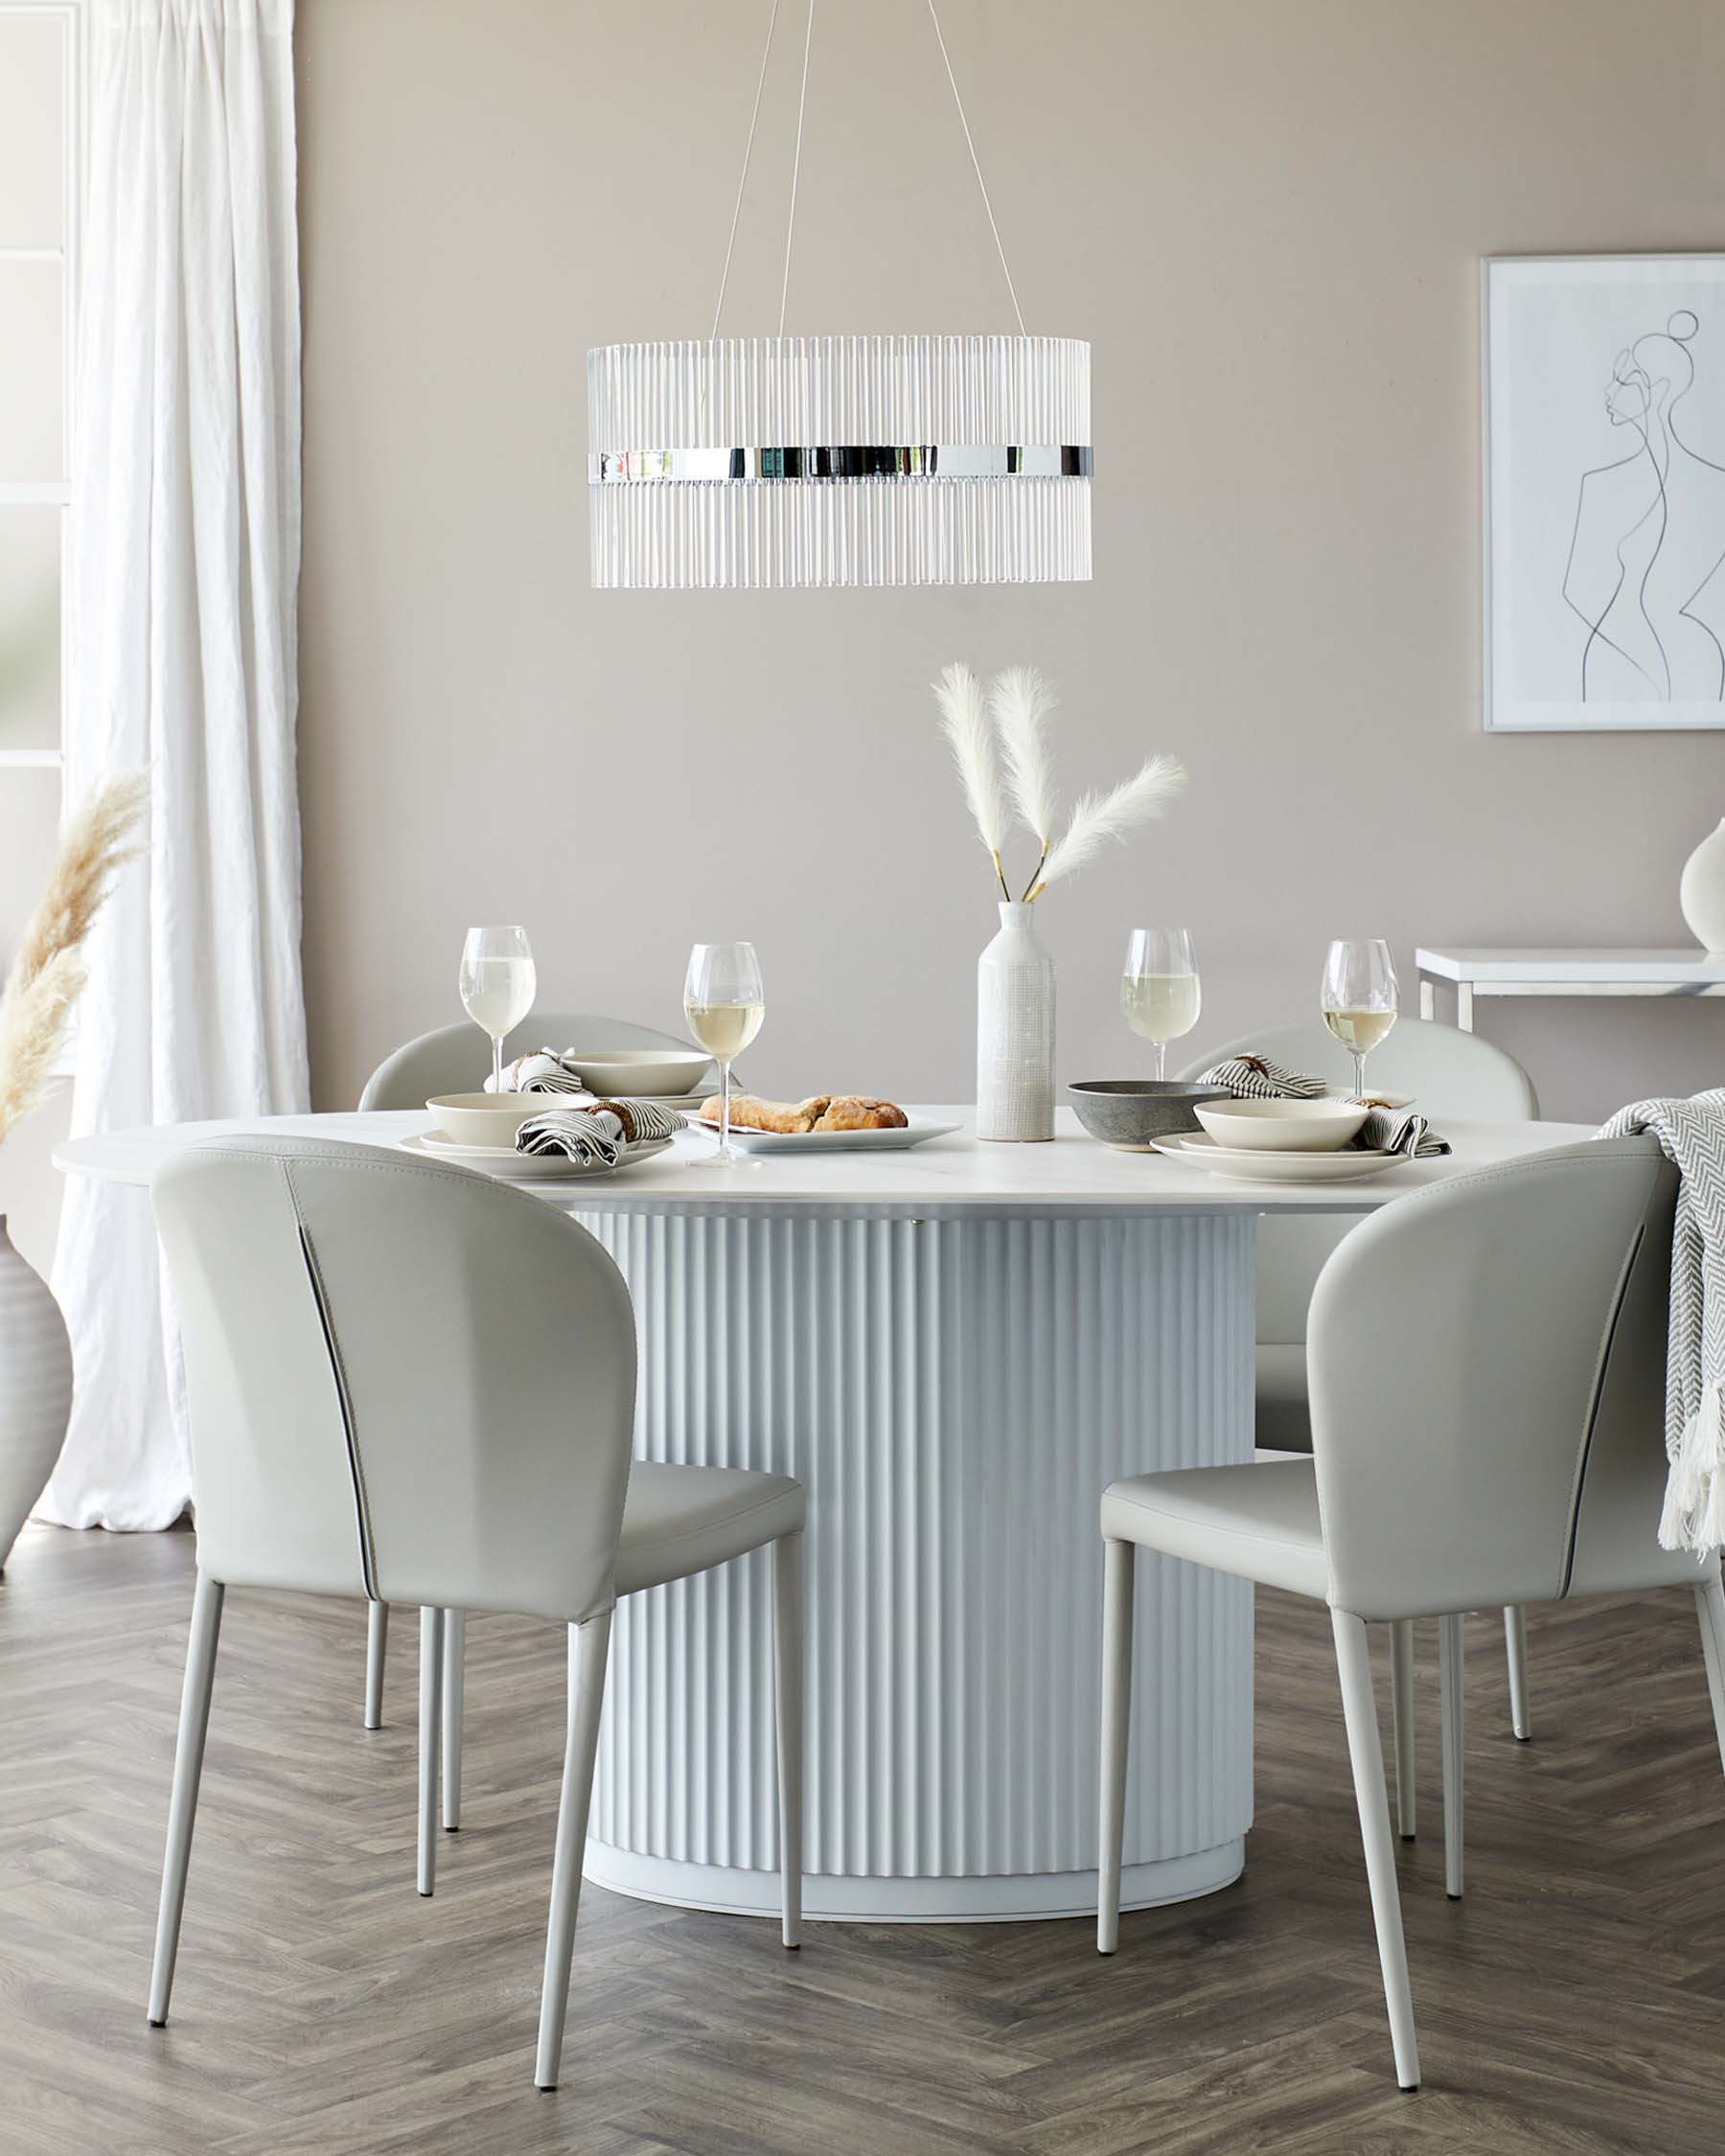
{"x": 1452, "y": 1075}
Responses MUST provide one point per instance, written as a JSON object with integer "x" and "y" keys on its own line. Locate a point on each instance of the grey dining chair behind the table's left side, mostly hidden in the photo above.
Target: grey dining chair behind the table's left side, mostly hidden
{"x": 458, "y": 1060}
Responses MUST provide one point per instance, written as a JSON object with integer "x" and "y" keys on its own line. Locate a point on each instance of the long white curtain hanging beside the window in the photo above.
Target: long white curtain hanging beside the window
{"x": 187, "y": 564}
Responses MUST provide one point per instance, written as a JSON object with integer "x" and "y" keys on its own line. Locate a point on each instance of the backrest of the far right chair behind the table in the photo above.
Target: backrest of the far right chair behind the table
{"x": 1454, "y": 1075}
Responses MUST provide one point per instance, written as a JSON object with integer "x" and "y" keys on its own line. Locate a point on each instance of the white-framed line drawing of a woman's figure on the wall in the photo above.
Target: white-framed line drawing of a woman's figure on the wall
{"x": 1605, "y": 493}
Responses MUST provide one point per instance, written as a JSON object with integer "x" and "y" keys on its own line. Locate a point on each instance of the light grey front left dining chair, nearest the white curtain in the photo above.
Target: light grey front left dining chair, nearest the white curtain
{"x": 413, "y": 1383}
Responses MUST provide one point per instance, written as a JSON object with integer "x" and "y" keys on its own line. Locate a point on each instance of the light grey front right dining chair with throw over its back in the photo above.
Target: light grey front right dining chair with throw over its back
{"x": 1487, "y": 1418}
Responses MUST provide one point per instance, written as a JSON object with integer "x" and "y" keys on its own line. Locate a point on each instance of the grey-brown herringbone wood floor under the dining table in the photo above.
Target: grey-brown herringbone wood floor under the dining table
{"x": 1575, "y": 2002}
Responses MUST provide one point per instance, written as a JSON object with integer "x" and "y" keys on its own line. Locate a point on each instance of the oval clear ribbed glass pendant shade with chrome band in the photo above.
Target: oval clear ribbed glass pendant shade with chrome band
{"x": 840, "y": 460}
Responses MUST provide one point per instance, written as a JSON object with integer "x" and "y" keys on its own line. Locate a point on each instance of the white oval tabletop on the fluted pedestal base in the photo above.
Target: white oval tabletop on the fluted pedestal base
{"x": 1073, "y": 1174}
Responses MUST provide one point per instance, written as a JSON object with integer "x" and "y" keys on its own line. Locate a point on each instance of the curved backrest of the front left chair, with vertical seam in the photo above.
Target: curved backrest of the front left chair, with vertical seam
{"x": 406, "y": 1381}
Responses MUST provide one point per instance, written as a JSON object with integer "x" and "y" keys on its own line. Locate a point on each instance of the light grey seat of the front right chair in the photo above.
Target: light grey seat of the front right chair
{"x": 1256, "y": 1521}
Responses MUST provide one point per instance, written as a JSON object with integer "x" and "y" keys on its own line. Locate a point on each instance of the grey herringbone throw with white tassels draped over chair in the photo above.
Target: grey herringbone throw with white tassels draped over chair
{"x": 1692, "y": 1135}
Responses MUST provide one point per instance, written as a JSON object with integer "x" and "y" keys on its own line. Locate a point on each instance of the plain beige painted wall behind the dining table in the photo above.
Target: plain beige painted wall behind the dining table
{"x": 1267, "y": 217}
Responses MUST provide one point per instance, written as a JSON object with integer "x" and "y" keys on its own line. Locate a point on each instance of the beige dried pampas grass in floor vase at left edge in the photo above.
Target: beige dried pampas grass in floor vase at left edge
{"x": 49, "y": 976}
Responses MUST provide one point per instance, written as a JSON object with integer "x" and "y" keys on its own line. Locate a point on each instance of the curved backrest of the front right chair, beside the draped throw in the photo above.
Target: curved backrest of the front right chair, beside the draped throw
{"x": 1489, "y": 1387}
